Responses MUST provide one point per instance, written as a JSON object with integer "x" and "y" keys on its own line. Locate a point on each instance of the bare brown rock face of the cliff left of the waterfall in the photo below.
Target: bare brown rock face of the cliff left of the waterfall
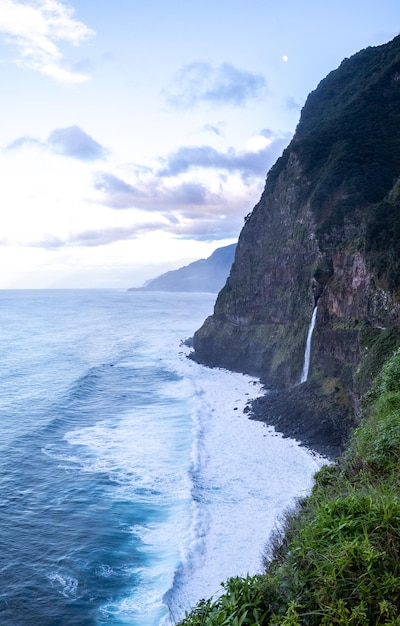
{"x": 268, "y": 298}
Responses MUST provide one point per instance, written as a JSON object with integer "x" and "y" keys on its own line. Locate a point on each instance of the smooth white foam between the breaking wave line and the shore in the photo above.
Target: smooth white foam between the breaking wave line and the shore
{"x": 247, "y": 475}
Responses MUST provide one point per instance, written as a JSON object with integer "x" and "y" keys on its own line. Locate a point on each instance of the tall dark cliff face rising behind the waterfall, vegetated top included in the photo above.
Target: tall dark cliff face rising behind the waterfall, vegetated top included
{"x": 326, "y": 232}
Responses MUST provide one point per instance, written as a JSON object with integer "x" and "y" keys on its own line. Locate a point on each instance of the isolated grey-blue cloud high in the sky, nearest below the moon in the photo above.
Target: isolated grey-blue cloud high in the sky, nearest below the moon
{"x": 201, "y": 82}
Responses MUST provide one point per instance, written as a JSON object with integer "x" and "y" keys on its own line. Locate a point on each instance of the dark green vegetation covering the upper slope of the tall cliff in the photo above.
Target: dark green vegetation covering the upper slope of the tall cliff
{"x": 348, "y": 145}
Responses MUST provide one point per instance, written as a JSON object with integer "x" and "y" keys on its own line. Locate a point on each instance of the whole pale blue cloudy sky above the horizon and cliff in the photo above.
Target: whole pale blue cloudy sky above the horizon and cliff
{"x": 136, "y": 136}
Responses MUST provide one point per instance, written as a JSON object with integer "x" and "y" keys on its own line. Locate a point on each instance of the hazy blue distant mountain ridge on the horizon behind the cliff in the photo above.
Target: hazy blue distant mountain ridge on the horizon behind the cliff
{"x": 205, "y": 275}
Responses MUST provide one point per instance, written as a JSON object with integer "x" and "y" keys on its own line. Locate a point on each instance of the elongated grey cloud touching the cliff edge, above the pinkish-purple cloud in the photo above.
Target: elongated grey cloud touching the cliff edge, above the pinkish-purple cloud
{"x": 247, "y": 162}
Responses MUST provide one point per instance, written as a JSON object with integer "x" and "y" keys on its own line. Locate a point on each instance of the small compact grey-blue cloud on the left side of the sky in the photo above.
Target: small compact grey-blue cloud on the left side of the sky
{"x": 74, "y": 142}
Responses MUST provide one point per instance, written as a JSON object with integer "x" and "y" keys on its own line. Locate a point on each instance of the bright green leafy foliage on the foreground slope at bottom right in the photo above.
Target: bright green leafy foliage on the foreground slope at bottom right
{"x": 337, "y": 559}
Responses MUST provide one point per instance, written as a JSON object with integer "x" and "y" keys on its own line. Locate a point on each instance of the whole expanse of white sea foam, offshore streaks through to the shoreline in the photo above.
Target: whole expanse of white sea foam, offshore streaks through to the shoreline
{"x": 225, "y": 479}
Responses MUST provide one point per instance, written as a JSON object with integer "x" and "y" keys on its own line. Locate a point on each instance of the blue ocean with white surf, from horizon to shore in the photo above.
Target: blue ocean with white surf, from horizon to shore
{"x": 132, "y": 481}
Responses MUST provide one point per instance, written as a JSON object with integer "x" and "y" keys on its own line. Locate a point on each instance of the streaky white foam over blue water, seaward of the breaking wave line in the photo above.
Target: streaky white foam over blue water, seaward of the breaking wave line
{"x": 147, "y": 454}
